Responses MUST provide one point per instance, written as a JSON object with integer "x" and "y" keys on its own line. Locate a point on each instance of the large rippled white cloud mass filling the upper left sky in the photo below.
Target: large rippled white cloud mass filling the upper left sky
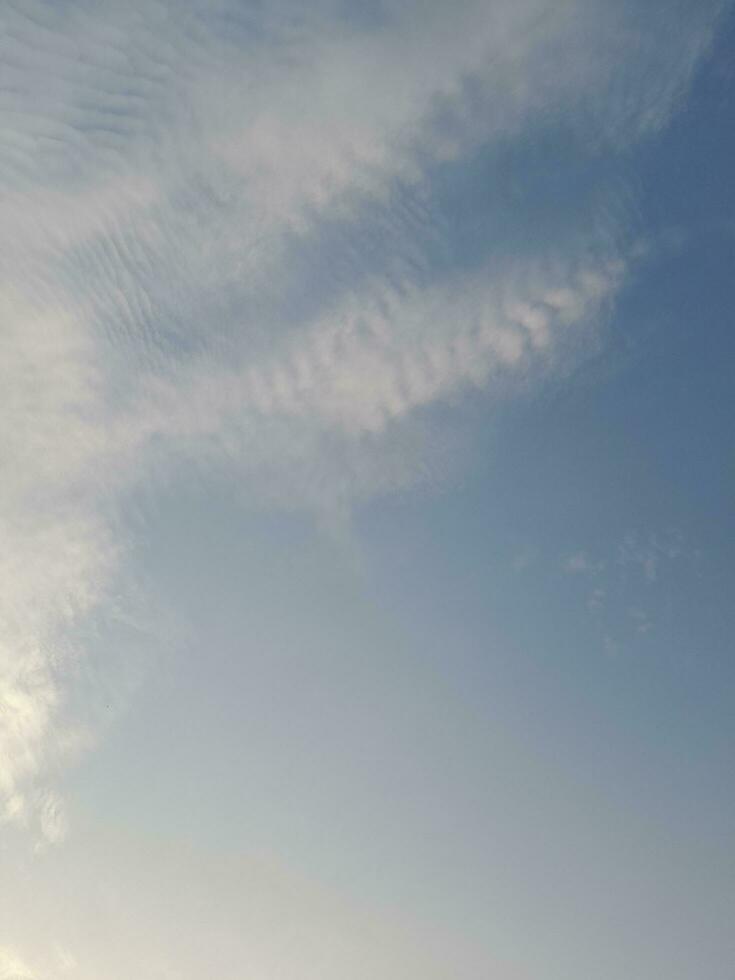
{"x": 234, "y": 237}
